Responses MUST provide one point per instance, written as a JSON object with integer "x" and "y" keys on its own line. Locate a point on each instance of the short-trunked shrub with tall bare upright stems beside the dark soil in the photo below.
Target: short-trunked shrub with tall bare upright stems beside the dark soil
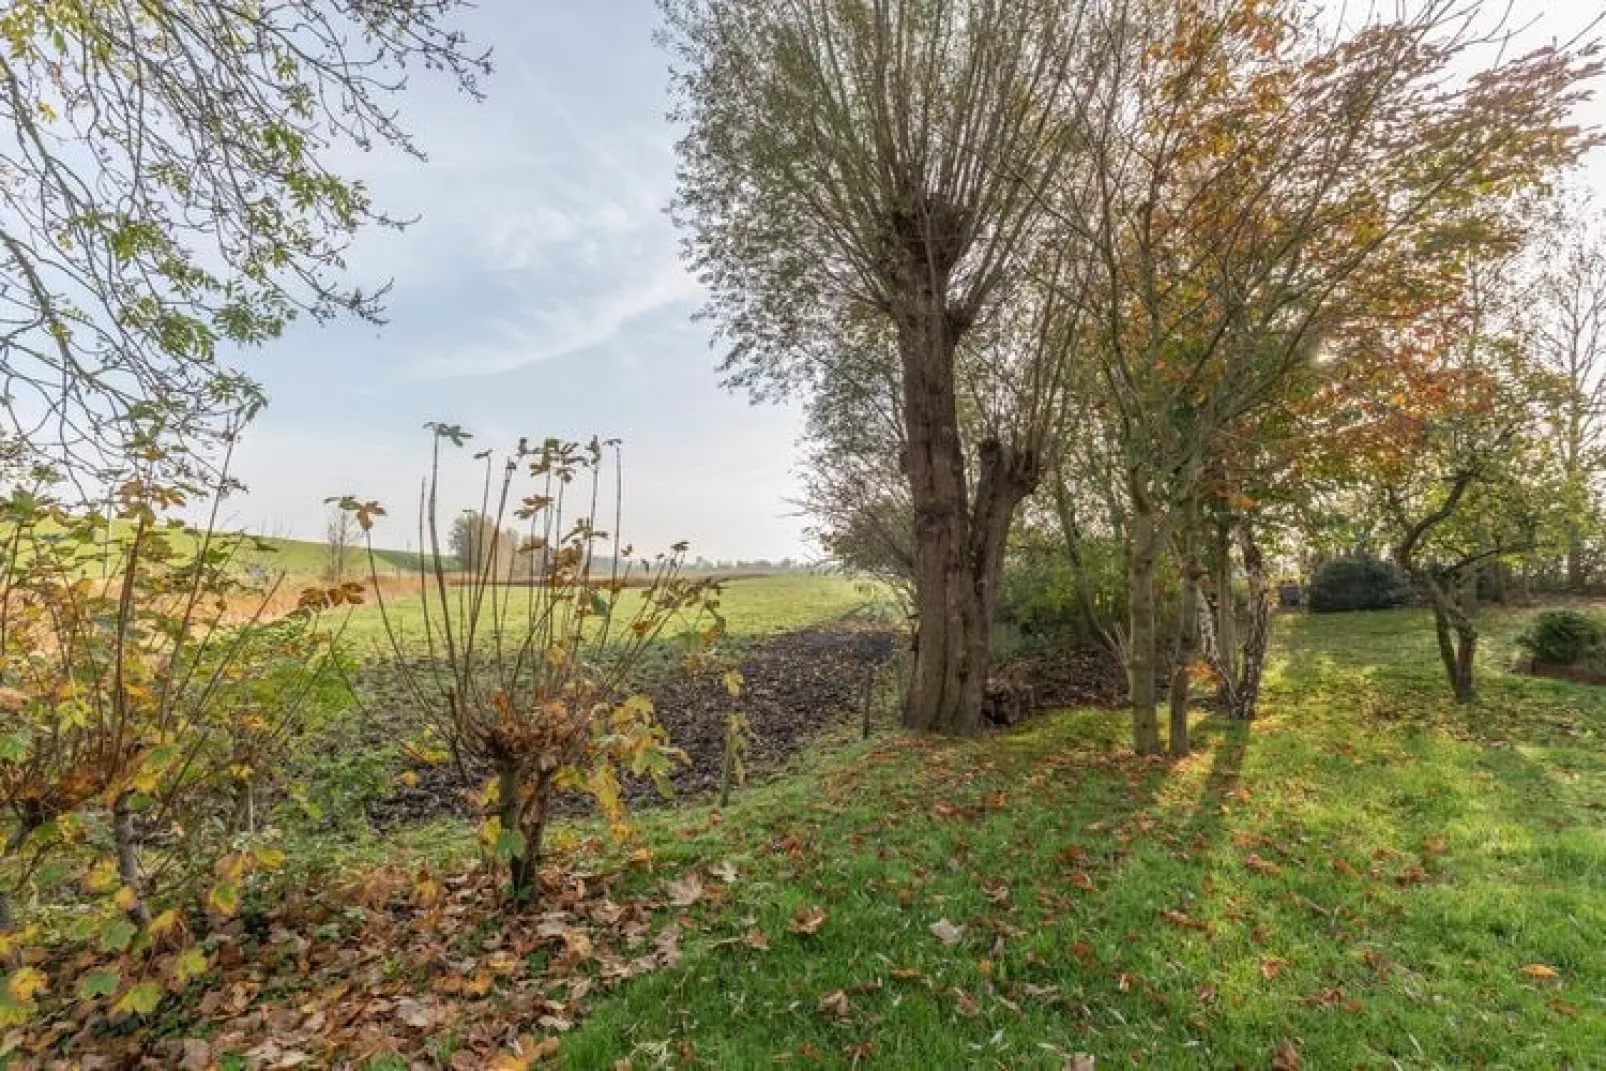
{"x": 534, "y": 682}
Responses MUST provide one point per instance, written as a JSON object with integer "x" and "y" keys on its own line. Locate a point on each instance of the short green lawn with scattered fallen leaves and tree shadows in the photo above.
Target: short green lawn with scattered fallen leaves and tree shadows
{"x": 1368, "y": 876}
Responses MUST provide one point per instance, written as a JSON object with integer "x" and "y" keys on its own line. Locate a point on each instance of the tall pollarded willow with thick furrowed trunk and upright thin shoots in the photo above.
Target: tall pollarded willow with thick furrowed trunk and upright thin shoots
{"x": 886, "y": 161}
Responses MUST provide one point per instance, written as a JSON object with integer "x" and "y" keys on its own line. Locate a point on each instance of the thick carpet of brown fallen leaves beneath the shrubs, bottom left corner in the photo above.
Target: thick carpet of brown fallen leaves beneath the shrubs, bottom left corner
{"x": 375, "y": 969}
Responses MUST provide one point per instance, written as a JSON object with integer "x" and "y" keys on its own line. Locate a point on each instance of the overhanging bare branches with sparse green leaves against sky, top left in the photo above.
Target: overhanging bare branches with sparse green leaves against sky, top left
{"x": 166, "y": 190}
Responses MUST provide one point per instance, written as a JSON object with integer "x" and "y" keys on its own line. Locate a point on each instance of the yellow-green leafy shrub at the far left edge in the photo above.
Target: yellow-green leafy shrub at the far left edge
{"x": 145, "y": 702}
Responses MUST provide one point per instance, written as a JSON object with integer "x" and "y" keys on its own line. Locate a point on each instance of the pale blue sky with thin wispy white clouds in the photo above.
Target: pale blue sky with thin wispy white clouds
{"x": 542, "y": 293}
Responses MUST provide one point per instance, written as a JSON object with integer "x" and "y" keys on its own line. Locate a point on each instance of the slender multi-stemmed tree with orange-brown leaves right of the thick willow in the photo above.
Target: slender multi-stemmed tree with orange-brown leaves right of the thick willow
{"x": 1253, "y": 166}
